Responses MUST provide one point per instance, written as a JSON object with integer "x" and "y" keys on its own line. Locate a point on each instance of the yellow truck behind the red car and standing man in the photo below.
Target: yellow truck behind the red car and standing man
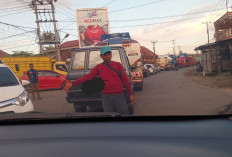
{"x": 21, "y": 64}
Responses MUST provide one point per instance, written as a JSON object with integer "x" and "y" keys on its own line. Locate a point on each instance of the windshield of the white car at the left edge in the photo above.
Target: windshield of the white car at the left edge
{"x": 7, "y": 78}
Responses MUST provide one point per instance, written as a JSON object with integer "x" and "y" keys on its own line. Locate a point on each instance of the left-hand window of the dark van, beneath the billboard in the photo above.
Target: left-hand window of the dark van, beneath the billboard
{"x": 79, "y": 61}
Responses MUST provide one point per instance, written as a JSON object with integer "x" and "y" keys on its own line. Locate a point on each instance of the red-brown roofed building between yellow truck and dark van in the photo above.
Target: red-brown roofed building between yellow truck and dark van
{"x": 66, "y": 50}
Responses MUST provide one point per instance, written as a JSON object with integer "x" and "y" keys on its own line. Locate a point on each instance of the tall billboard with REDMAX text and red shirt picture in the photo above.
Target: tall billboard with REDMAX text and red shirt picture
{"x": 92, "y": 24}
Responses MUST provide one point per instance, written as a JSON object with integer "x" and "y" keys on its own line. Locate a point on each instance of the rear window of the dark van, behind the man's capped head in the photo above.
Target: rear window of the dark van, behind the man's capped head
{"x": 94, "y": 58}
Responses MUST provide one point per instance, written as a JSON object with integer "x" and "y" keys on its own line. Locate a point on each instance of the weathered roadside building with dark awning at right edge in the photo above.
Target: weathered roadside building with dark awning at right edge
{"x": 217, "y": 56}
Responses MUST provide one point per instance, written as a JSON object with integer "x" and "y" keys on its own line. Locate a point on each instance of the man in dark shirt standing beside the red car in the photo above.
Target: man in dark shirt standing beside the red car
{"x": 34, "y": 81}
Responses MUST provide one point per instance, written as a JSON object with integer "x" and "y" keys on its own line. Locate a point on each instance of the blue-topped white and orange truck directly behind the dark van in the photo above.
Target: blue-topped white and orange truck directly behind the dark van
{"x": 133, "y": 52}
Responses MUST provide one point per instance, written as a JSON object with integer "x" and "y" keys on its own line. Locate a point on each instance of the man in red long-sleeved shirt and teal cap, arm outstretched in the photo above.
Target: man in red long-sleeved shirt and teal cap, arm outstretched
{"x": 113, "y": 98}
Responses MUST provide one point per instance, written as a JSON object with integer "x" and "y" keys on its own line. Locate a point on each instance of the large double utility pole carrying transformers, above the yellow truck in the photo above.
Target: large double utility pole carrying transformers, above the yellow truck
{"x": 46, "y": 7}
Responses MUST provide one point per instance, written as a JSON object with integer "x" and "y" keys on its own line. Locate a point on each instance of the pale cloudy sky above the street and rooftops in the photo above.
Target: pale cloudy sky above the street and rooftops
{"x": 149, "y": 20}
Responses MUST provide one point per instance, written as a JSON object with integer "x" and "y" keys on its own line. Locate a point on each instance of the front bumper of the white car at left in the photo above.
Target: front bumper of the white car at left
{"x": 28, "y": 107}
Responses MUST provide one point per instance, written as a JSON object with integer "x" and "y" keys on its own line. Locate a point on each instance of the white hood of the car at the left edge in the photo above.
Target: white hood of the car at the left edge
{"x": 10, "y": 92}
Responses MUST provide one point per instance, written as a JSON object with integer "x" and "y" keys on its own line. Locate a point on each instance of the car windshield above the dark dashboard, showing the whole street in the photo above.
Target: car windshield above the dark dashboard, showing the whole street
{"x": 161, "y": 57}
